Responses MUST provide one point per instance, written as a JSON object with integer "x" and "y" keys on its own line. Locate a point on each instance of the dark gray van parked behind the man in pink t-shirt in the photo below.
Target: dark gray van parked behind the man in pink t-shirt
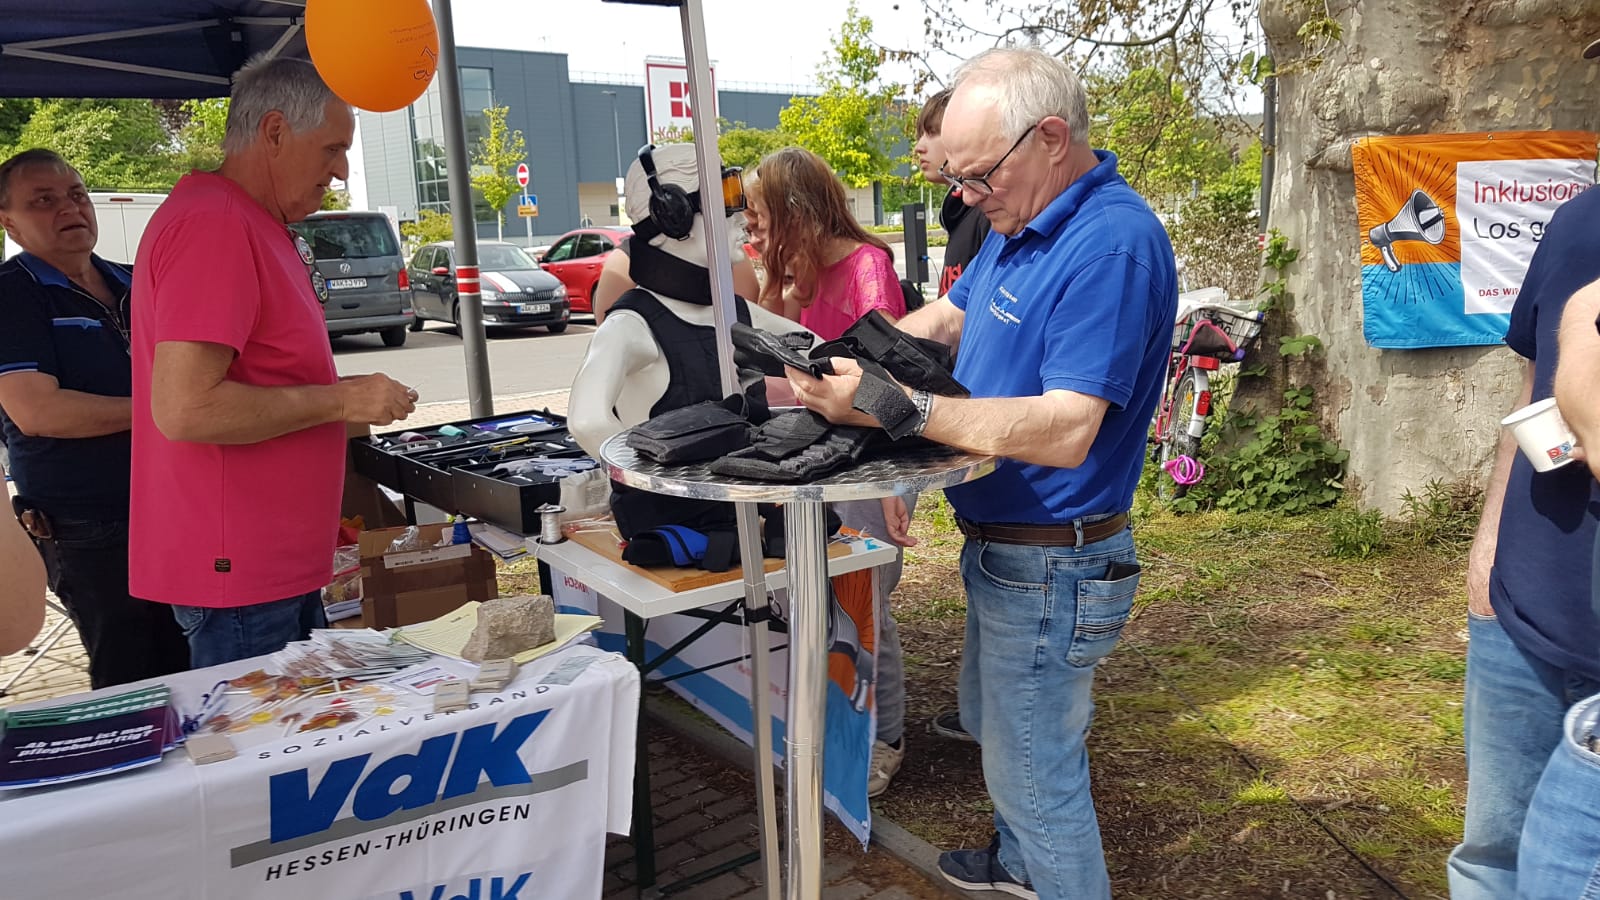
{"x": 359, "y": 259}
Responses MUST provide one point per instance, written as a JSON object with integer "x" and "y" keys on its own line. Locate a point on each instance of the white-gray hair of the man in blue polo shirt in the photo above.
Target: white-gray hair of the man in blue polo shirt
{"x": 1034, "y": 86}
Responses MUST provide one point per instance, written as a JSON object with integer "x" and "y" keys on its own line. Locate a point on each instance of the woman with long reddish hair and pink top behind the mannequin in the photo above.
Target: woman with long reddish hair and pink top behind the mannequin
{"x": 823, "y": 268}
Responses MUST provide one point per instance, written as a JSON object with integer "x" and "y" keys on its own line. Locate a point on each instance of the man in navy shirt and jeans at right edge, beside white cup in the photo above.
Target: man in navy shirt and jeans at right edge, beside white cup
{"x": 1532, "y": 637}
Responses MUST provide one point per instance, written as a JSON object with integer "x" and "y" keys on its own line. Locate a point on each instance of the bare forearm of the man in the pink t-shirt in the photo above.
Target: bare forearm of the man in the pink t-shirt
{"x": 233, "y": 412}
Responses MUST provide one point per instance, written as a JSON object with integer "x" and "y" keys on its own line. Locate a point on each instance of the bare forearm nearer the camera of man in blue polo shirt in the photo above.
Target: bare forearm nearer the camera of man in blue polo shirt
{"x": 1055, "y": 430}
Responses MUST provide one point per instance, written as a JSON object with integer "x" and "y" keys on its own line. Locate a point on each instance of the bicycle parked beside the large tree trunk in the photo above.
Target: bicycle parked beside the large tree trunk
{"x": 1209, "y": 332}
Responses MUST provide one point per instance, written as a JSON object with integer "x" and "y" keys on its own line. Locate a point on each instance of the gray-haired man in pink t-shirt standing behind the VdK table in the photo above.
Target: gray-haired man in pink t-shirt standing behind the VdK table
{"x": 238, "y": 411}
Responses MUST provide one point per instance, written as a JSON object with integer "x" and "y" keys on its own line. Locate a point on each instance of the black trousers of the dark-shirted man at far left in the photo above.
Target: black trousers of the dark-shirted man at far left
{"x": 127, "y": 638}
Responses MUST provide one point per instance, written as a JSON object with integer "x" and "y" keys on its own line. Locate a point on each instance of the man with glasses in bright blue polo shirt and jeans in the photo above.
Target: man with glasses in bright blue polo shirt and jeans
{"x": 1063, "y": 326}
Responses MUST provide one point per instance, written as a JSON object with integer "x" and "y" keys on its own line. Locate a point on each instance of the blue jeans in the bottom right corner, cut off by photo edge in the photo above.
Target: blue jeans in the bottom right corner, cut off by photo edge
{"x": 1561, "y": 840}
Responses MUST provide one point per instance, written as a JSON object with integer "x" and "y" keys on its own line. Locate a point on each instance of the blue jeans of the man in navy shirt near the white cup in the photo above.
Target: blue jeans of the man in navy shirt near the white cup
{"x": 1513, "y": 717}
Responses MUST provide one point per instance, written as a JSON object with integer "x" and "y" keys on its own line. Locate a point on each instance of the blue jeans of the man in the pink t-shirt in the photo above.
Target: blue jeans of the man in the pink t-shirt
{"x": 238, "y": 633}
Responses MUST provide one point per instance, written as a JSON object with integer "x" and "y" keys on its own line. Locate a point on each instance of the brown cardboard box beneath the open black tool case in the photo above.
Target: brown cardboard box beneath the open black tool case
{"x": 404, "y": 589}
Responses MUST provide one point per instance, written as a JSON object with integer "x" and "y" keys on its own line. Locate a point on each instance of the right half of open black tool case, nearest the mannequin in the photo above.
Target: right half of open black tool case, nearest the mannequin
{"x": 511, "y": 499}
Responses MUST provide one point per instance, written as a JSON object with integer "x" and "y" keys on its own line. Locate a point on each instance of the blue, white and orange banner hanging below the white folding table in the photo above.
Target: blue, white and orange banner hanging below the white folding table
{"x": 724, "y": 693}
